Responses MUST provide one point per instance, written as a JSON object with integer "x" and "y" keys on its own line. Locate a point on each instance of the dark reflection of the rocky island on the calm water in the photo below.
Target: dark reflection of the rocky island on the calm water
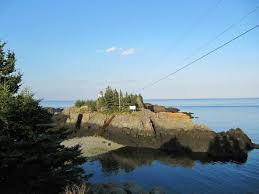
{"x": 129, "y": 158}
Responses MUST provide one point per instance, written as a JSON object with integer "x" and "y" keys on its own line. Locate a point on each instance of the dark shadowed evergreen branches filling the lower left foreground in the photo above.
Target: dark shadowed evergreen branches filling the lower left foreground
{"x": 32, "y": 160}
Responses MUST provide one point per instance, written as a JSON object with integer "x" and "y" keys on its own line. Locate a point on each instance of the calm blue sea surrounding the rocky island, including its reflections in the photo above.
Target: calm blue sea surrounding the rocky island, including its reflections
{"x": 188, "y": 175}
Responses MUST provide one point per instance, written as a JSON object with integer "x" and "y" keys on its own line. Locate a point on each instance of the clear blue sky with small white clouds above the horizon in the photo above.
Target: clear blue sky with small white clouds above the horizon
{"x": 71, "y": 50}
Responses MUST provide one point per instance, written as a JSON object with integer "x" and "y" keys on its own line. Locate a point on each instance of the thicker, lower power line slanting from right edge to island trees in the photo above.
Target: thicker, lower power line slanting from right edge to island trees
{"x": 198, "y": 59}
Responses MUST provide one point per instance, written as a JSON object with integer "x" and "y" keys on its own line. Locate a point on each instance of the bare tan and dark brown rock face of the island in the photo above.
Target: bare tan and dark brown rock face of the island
{"x": 170, "y": 132}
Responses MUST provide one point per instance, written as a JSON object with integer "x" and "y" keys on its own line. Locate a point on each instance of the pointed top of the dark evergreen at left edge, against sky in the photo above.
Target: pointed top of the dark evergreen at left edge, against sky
{"x": 8, "y": 75}
